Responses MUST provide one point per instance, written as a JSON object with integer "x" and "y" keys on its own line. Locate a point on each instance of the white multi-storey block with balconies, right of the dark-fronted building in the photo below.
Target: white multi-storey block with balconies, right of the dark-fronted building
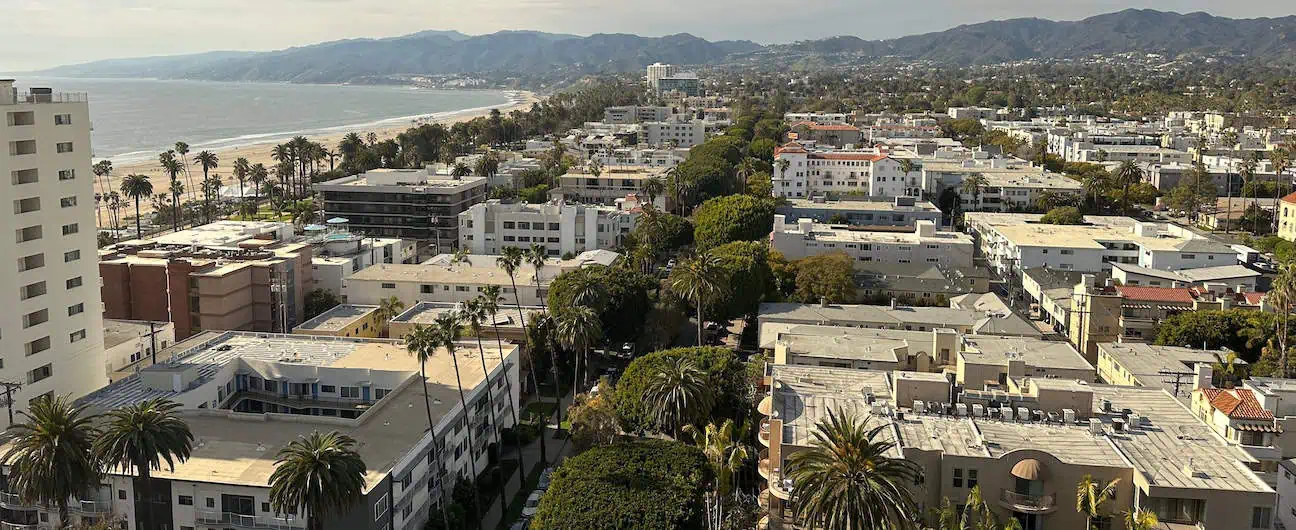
{"x": 489, "y": 227}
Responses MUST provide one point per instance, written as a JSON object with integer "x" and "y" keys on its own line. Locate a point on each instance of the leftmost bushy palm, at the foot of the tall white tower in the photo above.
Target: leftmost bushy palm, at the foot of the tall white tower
{"x": 50, "y": 454}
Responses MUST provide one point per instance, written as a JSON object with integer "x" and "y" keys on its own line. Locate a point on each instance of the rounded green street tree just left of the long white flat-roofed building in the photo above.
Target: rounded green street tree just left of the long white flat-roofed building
{"x": 733, "y": 218}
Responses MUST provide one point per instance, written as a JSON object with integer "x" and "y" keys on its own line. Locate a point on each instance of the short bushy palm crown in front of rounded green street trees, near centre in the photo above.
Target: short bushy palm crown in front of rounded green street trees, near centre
{"x": 678, "y": 395}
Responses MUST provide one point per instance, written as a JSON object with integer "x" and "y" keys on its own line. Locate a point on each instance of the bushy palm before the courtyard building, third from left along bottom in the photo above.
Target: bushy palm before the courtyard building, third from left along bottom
{"x": 318, "y": 475}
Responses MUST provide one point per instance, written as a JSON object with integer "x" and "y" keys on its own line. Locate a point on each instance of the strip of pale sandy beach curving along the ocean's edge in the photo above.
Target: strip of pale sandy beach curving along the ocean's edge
{"x": 261, "y": 152}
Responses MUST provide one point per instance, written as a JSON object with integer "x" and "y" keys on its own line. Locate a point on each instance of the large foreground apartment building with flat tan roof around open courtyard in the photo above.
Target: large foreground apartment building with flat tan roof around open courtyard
{"x": 247, "y": 396}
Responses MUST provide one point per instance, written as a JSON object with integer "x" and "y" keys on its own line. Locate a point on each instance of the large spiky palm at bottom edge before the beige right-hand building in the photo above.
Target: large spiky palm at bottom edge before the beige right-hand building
{"x": 846, "y": 480}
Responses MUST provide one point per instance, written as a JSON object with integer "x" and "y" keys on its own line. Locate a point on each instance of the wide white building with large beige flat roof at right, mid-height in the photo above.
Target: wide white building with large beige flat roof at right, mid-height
{"x": 1012, "y": 243}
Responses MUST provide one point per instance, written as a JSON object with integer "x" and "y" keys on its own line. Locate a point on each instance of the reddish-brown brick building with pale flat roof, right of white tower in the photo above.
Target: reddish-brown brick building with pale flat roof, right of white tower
{"x": 225, "y": 275}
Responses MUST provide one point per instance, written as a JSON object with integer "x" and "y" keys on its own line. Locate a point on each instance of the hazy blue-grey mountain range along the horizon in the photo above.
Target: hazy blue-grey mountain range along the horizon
{"x": 533, "y": 52}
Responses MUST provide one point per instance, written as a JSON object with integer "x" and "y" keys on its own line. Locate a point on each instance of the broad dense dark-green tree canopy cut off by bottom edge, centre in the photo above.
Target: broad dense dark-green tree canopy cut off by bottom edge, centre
{"x": 647, "y": 484}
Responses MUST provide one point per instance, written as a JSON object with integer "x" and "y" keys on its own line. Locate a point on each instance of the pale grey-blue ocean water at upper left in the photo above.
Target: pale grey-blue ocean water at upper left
{"x": 137, "y": 119}
